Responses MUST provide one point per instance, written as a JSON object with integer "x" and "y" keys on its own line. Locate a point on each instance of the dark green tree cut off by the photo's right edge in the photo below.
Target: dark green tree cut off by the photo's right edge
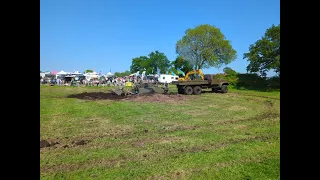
{"x": 264, "y": 54}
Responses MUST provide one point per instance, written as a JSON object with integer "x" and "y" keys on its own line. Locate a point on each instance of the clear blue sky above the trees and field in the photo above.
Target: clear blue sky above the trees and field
{"x": 103, "y": 35}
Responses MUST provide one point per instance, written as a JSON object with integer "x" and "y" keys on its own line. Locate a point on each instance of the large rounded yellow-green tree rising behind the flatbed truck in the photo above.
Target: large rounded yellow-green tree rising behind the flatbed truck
{"x": 205, "y": 46}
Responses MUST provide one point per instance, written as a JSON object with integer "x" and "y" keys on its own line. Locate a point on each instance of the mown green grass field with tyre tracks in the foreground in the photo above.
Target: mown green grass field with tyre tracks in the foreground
{"x": 211, "y": 136}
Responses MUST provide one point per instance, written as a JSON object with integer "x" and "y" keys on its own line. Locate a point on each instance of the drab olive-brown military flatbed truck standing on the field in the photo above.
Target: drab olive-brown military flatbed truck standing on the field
{"x": 195, "y": 86}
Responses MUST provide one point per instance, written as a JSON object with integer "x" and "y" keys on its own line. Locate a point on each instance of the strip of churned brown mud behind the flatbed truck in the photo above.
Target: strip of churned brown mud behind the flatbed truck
{"x": 171, "y": 97}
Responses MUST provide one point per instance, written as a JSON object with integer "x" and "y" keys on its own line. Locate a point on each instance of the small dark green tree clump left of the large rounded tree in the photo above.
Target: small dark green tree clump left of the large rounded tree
{"x": 150, "y": 64}
